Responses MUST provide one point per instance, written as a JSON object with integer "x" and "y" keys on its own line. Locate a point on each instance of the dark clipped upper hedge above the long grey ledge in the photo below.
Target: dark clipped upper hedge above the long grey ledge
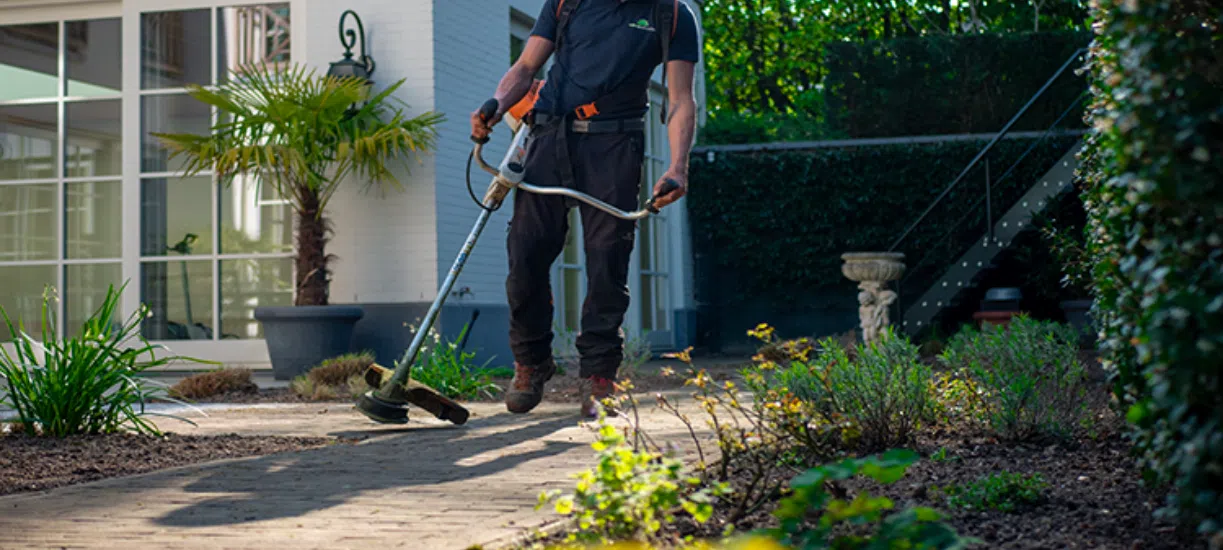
{"x": 942, "y": 85}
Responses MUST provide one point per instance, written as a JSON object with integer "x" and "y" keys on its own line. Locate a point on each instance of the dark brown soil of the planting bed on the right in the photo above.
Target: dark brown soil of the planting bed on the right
{"x": 1094, "y": 498}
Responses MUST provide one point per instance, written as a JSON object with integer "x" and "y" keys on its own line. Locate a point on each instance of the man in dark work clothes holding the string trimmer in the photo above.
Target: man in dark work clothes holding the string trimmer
{"x": 588, "y": 134}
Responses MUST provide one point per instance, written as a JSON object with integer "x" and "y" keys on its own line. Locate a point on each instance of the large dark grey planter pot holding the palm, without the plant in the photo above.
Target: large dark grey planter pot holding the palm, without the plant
{"x": 301, "y": 337}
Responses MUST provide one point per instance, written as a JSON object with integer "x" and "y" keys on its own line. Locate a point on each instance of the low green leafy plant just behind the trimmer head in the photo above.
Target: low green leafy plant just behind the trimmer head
{"x": 452, "y": 371}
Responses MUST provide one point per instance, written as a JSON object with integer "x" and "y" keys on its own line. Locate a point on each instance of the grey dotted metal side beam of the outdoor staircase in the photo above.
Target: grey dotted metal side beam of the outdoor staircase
{"x": 979, "y": 257}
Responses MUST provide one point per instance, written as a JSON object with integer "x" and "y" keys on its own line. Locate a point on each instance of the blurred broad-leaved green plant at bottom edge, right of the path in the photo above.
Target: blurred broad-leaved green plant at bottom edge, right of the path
{"x": 914, "y": 527}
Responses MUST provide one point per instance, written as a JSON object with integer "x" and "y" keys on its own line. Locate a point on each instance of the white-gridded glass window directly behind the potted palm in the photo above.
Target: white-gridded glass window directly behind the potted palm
{"x": 211, "y": 254}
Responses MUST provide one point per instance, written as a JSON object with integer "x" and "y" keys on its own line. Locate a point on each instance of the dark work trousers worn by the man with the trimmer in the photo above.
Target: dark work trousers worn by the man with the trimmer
{"x": 606, "y": 167}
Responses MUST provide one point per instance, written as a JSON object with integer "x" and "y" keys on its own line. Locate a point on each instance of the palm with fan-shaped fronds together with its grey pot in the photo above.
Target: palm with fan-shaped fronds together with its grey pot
{"x": 304, "y": 135}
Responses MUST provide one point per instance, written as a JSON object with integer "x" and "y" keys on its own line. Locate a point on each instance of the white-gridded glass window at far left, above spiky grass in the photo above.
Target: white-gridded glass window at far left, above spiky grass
{"x": 61, "y": 169}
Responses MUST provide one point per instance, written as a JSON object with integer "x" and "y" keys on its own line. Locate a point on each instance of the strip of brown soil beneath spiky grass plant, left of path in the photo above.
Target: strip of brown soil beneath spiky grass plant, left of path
{"x": 30, "y": 464}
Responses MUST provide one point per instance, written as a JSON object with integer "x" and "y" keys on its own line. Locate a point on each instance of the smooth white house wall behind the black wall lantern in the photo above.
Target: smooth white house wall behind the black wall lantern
{"x": 385, "y": 243}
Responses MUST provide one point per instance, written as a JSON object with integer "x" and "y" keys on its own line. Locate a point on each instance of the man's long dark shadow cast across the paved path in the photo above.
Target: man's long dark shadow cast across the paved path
{"x": 292, "y": 486}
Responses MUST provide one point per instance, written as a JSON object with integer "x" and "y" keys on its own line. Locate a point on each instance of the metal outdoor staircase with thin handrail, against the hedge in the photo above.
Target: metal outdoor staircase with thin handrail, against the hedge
{"x": 979, "y": 257}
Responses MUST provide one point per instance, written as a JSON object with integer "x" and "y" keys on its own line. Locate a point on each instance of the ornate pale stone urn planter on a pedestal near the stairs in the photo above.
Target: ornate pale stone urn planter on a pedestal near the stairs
{"x": 873, "y": 272}
